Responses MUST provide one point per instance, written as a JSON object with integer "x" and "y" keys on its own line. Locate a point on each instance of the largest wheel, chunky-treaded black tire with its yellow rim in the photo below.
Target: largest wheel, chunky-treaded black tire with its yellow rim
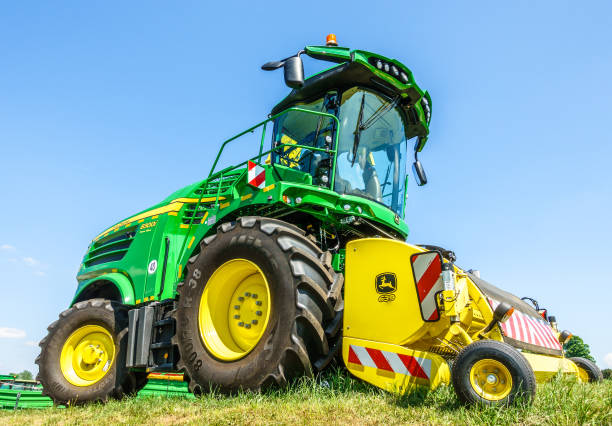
{"x": 260, "y": 305}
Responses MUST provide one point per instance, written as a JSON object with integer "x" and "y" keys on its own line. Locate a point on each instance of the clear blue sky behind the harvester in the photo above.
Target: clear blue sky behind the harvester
{"x": 108, "y": 107}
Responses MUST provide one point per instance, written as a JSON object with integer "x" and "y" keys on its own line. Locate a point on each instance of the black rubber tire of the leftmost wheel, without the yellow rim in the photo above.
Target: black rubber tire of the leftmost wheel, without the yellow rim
{"x": 116, "y": 383}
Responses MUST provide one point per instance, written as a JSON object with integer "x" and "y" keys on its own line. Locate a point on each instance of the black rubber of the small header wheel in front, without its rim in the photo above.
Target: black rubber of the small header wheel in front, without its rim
{"x": 523, "y": 379}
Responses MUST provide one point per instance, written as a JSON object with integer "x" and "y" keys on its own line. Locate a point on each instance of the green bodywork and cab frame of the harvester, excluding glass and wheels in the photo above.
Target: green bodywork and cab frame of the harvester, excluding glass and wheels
{"x": 142, "y": 259}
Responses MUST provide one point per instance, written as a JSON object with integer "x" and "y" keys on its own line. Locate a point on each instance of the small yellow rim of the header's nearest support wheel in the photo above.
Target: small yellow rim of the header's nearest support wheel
{"x": 491, "y": 379}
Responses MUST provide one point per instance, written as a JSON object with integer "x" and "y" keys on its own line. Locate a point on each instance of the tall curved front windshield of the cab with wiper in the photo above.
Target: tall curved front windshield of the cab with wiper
{"x": 371, "y": 160}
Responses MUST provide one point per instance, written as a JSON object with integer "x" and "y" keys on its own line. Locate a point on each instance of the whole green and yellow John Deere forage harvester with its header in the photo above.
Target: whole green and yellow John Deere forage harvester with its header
{"x": 270, "y": 269}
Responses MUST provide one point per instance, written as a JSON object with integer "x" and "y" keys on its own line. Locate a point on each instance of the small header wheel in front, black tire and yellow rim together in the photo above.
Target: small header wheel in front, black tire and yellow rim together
{"x": 492, "y": 373}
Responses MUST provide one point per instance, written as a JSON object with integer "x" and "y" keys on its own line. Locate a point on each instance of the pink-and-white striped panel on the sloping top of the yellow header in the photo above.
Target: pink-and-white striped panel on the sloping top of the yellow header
{"x": 528, "y": 329}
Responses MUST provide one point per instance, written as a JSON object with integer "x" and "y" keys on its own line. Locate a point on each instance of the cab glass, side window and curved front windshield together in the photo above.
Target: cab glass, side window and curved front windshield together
{"x": 371, "y": 147}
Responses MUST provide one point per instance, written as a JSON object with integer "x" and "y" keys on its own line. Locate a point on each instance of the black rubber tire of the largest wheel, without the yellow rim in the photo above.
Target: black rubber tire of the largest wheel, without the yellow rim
{"x": 302, "y": 335}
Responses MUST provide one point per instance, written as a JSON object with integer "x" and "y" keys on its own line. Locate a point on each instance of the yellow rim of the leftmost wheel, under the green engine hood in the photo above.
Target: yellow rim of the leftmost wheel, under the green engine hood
{"x": 87, "y": 355}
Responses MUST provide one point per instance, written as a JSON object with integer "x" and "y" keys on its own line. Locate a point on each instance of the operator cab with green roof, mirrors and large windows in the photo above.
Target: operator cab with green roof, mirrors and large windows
{"x": 380, "y": 118}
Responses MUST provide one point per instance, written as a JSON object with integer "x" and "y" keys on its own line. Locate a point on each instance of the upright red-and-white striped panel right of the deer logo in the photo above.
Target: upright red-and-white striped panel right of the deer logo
{"x": 427, "y": 268}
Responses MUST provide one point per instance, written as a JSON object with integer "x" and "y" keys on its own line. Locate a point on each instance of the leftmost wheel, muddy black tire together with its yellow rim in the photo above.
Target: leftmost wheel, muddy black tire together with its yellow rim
{"x": 82, "y": 358}
